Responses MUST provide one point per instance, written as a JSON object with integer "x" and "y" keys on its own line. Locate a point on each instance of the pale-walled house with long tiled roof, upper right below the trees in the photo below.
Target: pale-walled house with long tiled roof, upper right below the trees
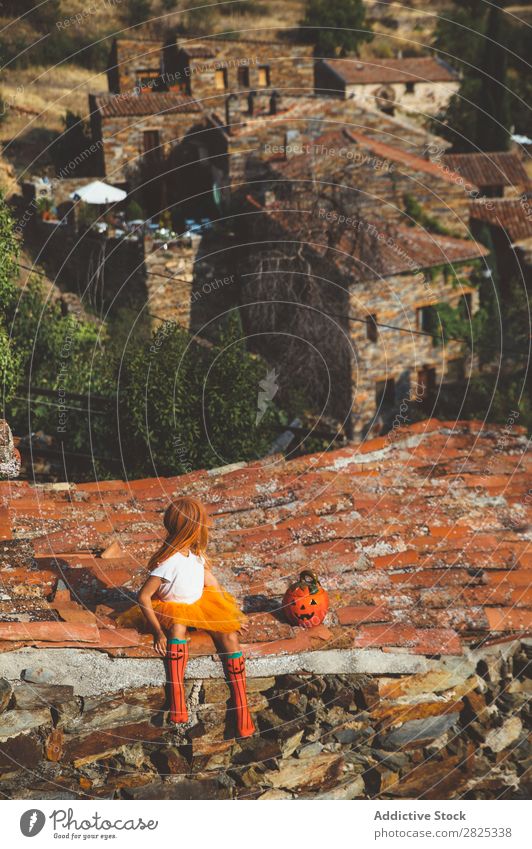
{"x": 416, "y": 84}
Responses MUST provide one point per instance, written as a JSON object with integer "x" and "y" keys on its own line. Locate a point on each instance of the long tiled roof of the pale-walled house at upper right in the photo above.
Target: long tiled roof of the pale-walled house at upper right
{"x": 411, "y": 69}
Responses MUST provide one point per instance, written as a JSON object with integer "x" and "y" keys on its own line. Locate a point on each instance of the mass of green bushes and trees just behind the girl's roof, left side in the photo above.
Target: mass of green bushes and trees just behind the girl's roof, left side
{"x": 172, "y": 405}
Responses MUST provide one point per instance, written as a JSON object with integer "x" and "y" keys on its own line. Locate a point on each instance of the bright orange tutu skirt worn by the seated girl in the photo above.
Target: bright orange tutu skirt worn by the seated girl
{"x": 216, "y": 610}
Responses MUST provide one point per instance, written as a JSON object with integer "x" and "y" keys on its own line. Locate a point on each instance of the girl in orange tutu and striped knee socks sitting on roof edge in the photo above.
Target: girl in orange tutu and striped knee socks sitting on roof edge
{"x": 181, "y": 592}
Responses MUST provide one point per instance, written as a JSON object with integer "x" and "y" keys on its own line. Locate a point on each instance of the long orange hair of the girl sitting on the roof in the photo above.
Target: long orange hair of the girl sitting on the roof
{"x": 187, "y": 525}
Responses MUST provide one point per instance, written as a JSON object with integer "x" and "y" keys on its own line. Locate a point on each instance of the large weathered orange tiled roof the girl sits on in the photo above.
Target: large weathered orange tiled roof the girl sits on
{"x": 420, "y": 538}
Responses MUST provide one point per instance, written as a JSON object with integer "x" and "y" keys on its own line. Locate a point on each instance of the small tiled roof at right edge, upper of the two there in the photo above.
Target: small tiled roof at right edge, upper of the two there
{"x": 488, "y": 169}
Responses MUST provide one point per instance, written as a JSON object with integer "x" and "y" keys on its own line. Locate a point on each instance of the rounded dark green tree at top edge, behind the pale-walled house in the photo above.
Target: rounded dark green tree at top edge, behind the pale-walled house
{"x": 336, "y": 28}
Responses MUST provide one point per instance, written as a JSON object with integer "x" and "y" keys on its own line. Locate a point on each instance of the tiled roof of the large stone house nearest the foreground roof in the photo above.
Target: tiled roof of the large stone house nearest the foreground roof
{"x": 384, "y": 249}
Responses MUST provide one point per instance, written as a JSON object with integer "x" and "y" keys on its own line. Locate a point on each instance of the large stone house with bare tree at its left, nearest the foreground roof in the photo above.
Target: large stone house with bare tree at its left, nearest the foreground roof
{"x": 326, "y": 292}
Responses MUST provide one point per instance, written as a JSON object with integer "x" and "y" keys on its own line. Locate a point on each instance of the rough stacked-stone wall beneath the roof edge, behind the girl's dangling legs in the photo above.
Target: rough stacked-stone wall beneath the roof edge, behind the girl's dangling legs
{"x": 456, "y": 731}
